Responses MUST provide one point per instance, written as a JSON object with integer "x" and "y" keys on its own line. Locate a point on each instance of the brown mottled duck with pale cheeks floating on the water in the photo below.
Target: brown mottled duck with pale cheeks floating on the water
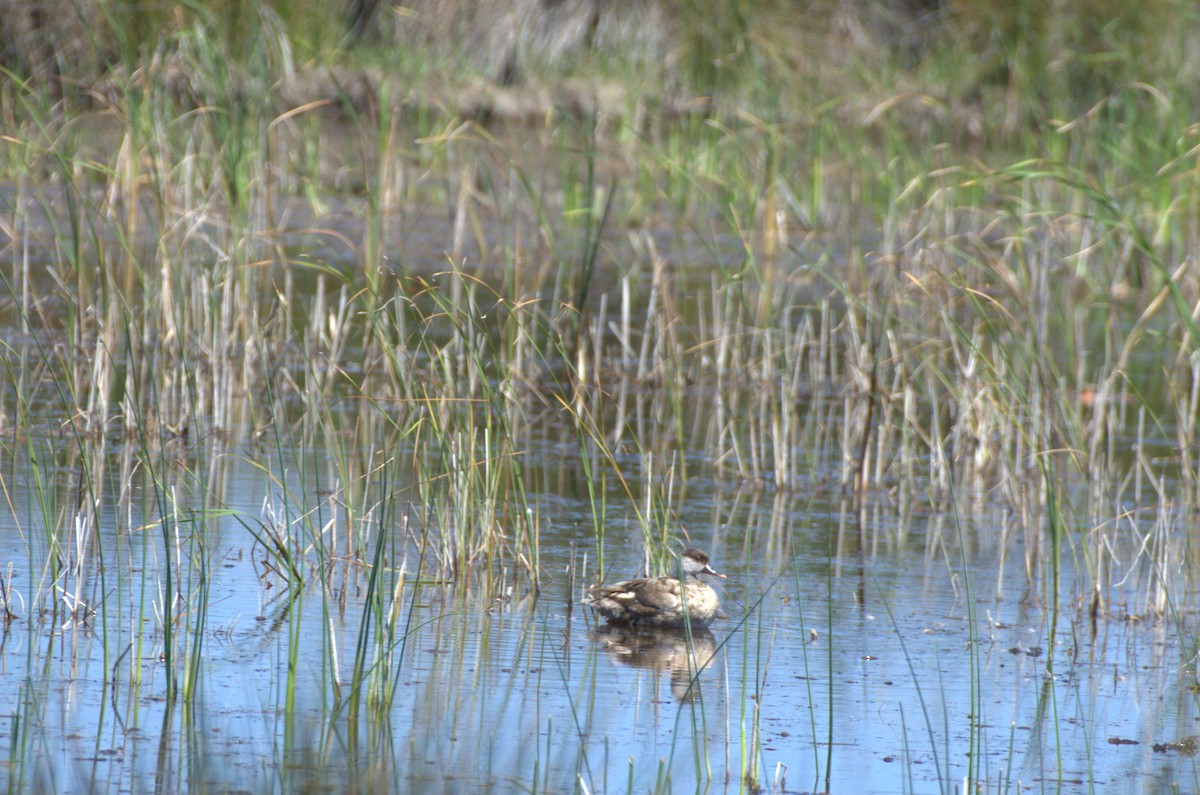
{"x": 665, "y": 602}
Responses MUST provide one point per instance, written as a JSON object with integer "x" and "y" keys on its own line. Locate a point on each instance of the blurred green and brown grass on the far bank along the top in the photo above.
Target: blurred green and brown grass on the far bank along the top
{"x": 970, "y": 74}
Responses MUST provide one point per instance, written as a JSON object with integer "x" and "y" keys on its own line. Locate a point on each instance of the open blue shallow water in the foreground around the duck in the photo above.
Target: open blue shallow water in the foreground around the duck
{"x": 868, "y": 659}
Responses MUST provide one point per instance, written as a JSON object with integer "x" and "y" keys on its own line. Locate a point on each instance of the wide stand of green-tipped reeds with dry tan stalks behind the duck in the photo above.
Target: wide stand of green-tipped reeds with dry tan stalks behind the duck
{"x": 941, "y": 342}
